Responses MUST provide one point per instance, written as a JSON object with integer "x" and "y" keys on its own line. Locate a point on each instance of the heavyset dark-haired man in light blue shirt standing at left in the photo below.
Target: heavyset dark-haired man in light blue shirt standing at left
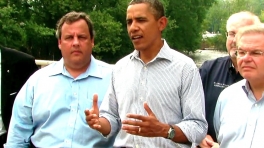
{"x": 49, "y": 109}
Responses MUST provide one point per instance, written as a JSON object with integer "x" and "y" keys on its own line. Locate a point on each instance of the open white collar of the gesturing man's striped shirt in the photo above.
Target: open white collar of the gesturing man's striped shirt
{"x": 164, "y": 53}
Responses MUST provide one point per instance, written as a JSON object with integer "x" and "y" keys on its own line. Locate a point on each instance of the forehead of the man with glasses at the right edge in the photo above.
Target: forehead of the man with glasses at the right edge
{"x": 252, "y": 41}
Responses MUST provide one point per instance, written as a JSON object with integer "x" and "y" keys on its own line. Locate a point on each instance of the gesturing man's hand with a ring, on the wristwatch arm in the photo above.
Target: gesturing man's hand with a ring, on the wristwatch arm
{"x": 147, "y": 126}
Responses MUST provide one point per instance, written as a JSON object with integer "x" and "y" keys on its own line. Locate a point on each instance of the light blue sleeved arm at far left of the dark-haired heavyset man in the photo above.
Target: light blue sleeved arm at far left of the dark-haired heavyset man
{"x": 21, "y": 126}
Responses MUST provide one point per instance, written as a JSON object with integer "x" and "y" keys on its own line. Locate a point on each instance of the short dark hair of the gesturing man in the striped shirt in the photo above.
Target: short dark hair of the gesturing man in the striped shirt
{"x": 155, "y": 5}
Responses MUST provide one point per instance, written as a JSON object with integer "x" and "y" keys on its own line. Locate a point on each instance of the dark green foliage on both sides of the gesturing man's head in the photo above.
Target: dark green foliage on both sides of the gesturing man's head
{"x": 33, "y": 24}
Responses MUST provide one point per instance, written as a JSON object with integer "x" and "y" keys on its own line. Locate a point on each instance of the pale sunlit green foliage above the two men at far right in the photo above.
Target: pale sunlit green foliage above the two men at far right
{"x": 218, "y": 14}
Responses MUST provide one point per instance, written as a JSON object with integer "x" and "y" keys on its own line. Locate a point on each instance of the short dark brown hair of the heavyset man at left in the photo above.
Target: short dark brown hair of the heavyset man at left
{"x": 72, "y": 17}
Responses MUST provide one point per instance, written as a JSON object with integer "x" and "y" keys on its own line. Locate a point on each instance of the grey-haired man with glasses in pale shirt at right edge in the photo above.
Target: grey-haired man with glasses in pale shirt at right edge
{"x": 239, "y": 112}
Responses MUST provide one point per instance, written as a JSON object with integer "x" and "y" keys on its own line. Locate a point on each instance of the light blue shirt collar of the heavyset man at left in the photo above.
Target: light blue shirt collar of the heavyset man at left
{"x": 93, "y": 69}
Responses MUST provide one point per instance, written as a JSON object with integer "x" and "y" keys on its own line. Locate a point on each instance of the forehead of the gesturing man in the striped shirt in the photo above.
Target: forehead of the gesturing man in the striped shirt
{"x": 139, "y": 10}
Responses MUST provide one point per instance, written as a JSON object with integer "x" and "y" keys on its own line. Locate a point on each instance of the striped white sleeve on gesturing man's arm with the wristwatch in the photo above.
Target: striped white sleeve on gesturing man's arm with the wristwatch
{"x": 193, "y": 125}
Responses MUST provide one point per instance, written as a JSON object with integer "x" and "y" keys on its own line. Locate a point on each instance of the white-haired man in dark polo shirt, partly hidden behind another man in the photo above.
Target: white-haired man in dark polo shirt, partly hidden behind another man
{"x": 219, "y": 73}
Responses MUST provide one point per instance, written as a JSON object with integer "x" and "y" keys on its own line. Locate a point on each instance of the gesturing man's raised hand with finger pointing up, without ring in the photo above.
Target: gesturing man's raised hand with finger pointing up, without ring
{"x": 92, "y": 115}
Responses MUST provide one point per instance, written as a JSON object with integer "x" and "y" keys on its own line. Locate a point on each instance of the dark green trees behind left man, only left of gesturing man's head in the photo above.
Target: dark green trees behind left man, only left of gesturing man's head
{"x": 34, "y": 23}
